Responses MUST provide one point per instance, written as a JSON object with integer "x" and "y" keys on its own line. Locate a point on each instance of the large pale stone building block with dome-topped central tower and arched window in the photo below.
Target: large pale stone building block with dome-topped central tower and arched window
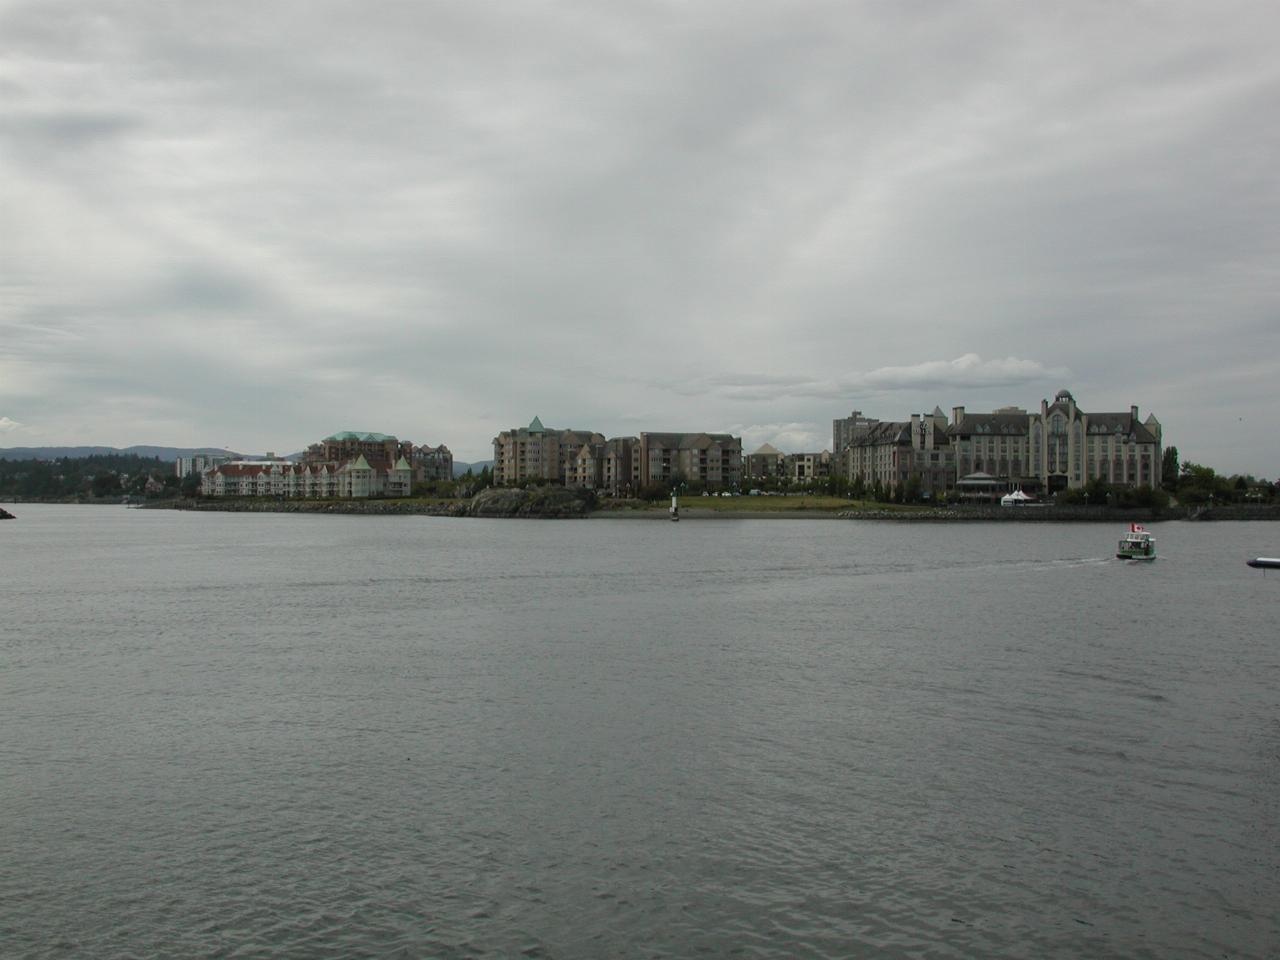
{"x": 1062, "y": 447}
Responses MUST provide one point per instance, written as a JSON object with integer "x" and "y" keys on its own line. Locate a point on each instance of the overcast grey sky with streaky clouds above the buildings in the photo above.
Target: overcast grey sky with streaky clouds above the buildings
{"x": 254, "y": 225}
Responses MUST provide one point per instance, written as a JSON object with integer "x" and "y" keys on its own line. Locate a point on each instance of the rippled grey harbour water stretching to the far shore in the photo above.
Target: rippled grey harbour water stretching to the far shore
{"x": 313, "y": 737}
